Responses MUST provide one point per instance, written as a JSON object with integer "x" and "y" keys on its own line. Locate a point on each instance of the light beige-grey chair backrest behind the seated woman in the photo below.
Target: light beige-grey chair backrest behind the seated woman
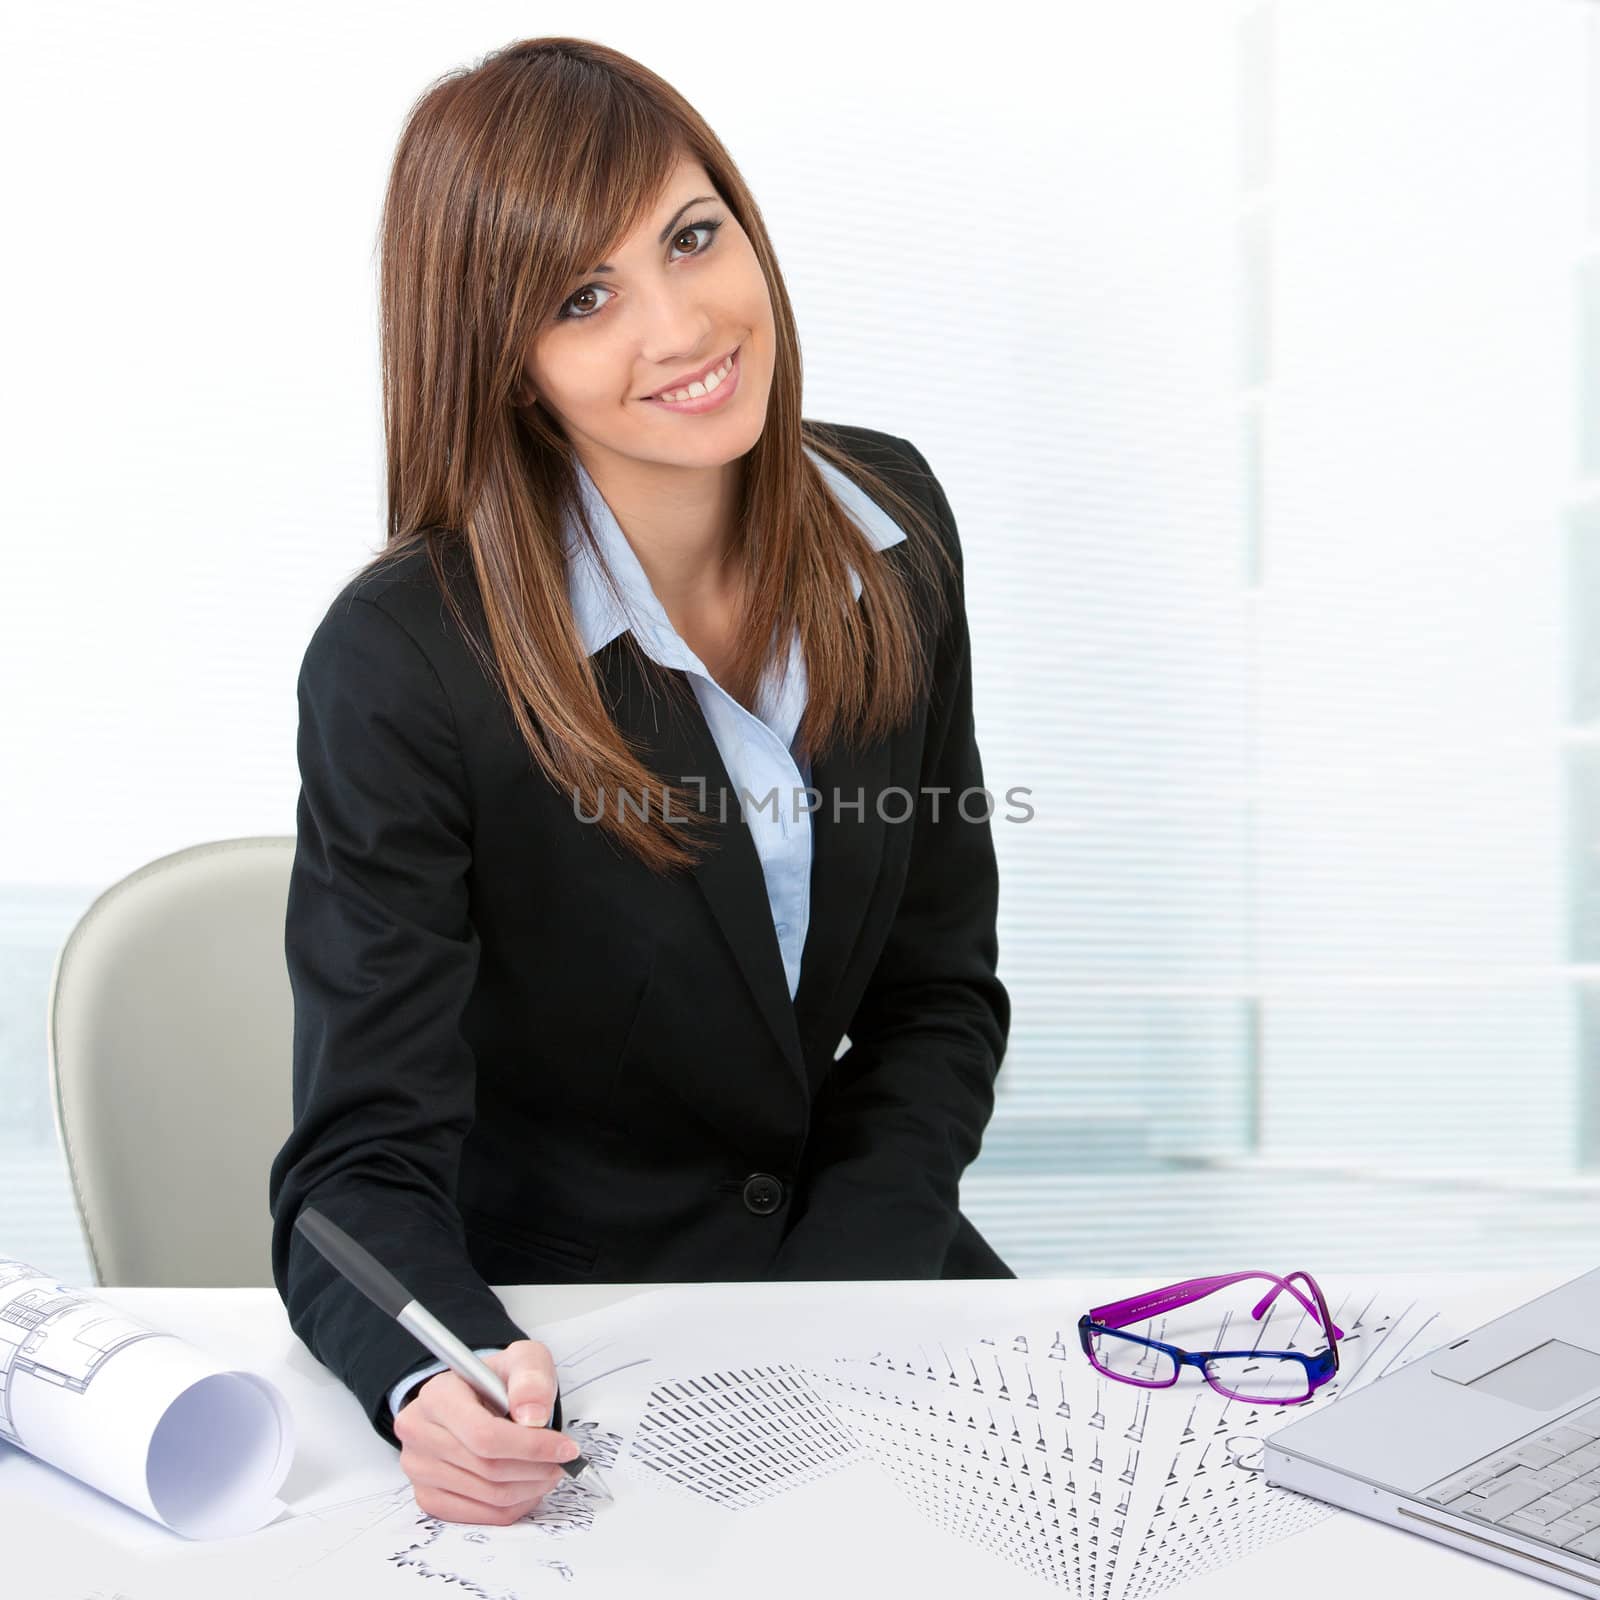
{"x": 170, "y": 1034}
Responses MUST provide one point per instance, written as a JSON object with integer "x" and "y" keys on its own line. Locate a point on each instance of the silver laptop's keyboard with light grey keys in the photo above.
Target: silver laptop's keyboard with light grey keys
{"x": 1546, "y": 1487}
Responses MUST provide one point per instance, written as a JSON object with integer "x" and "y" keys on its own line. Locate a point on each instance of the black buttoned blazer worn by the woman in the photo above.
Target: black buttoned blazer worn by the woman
{"x": 524, "y": 1058}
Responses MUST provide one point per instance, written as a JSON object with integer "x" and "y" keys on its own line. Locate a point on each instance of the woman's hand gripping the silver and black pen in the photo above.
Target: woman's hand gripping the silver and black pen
{"x": 466, "y": 1463}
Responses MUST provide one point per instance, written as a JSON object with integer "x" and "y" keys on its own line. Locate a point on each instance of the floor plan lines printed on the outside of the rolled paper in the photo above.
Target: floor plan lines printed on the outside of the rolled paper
{"x": 55, "y": 1335}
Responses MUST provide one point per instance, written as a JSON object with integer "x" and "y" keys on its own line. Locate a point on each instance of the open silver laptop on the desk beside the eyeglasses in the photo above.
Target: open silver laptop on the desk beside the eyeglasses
{"x": 1490, "y": 1446}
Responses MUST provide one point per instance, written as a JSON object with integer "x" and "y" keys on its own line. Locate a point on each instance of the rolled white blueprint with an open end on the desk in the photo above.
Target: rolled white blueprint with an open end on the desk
{"x": 138, "y": 1414}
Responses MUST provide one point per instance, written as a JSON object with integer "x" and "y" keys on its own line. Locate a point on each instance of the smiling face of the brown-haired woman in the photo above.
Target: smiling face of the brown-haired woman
{"x": 674, "y": 298}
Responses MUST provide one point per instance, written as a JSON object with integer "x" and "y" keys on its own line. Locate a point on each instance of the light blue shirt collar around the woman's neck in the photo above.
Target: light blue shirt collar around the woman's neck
{"x": 596, "y": 609}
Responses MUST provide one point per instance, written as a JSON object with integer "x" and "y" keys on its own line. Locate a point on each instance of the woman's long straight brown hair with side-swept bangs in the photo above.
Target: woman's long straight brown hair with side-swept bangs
{"x": 510, "y": 180}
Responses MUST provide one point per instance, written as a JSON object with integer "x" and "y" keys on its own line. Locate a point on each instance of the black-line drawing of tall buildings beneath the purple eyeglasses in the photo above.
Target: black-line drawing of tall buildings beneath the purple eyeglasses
{"x": 986, "y": 1444}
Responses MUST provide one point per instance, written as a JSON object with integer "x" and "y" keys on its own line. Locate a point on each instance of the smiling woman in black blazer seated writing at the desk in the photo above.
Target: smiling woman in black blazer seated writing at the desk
{"x": 639, "y": 778}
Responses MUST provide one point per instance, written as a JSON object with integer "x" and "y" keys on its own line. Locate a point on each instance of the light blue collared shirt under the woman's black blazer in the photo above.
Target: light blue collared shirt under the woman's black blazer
{"x": 758, "y": 751}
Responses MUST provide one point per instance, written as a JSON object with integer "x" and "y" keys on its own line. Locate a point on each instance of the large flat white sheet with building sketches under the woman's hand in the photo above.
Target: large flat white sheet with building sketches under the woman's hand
{"x": 854, "y": 1450}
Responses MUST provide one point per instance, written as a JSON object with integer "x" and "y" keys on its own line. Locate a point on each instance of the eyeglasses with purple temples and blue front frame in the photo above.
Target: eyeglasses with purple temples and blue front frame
{"x": 1268, "y": 1377}
